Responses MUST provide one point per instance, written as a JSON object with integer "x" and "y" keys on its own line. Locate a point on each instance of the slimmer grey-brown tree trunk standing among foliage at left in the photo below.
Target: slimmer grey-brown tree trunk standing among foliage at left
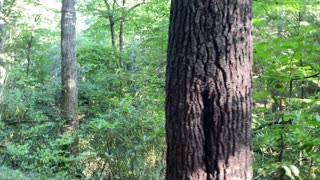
{"x": 69, "y": 94}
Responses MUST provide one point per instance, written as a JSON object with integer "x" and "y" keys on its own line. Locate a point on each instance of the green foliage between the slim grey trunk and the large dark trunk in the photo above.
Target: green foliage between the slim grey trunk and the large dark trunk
{"x": 123, "y": 107}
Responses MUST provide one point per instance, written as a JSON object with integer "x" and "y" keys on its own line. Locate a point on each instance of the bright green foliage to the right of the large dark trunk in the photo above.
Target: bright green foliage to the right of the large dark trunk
{"x": 287, "y": 87}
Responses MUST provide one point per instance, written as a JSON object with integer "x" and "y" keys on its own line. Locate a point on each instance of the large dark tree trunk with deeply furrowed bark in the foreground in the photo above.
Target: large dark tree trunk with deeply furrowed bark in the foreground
{"x": 208, "y": 90}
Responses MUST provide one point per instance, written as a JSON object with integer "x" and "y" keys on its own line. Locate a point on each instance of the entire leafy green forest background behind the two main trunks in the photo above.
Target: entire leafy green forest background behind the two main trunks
{"x": 121, "y": 53}
